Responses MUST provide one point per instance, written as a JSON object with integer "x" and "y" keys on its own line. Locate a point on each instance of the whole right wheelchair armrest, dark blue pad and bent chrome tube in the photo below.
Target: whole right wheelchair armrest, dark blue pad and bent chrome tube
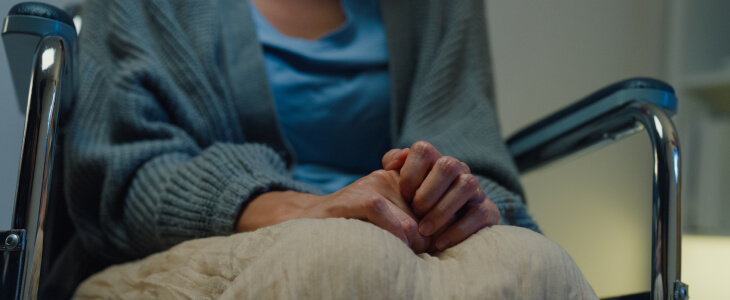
{"x": 617, "y": 111}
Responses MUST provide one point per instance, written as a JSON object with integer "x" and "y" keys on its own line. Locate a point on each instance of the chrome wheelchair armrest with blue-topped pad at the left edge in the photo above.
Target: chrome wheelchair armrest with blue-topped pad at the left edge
{"x": 39, "y": 41}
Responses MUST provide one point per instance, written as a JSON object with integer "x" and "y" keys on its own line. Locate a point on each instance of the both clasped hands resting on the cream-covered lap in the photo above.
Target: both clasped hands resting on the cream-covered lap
{"x": 429, "y": 201}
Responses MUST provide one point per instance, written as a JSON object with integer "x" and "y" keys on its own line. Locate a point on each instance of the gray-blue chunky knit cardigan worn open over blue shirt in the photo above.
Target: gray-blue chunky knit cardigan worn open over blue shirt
{"x": 174, "y": 126}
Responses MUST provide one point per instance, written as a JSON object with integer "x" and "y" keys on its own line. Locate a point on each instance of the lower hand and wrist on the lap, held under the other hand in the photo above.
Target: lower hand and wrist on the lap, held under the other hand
{"x": 375, "y": 198}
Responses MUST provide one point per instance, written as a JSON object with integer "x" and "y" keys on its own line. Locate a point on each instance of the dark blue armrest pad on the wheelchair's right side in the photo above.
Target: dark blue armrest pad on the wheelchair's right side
{"x": 595, "y": 105}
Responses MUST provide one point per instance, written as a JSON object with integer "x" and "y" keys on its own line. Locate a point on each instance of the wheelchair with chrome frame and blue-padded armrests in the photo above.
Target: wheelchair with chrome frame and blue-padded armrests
{"x": 40, "y": 41}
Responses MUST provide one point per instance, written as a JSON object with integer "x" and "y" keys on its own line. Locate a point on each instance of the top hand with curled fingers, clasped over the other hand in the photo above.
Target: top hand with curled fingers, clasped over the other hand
{"x": 443, "y": 192}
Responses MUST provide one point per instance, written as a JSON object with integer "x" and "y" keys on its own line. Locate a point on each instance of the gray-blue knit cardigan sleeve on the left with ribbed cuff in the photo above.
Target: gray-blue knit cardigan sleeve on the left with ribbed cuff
{"x": 154, "y": 154}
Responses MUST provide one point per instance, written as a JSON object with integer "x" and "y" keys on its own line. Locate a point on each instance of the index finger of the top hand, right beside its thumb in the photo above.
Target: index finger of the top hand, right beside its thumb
{"x": 421, "y": 158}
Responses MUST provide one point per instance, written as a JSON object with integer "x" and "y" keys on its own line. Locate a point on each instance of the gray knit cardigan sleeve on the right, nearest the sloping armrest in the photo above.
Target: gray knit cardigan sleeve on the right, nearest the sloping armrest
{"x": 451, "y": 104}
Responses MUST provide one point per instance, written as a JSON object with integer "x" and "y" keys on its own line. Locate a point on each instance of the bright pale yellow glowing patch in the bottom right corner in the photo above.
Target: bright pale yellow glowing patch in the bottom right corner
{"x": 706, "y": 265}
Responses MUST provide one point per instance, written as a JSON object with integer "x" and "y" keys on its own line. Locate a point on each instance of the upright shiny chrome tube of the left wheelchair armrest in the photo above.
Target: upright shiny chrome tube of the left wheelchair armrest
{"x": 39, "y": 140}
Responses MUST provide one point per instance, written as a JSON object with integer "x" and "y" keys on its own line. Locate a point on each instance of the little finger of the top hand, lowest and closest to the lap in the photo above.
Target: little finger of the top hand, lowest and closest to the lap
{"x": 477, "y": 217}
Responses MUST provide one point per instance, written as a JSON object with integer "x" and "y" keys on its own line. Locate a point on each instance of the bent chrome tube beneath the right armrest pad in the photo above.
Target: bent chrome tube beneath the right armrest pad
{"x": 666, "y": 199}
